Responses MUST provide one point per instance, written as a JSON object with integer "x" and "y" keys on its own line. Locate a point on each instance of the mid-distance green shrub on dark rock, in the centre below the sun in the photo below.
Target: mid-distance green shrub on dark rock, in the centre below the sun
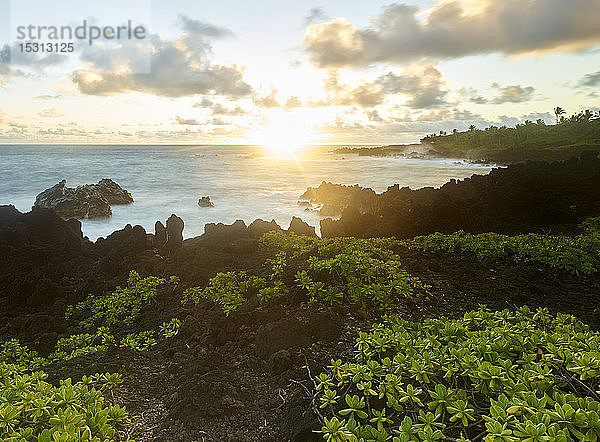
{"x": 329, "y": 271}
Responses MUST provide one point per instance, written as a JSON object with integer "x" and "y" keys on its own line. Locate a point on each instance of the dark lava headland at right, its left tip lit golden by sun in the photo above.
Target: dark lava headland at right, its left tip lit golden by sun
{"x": 524, "y": 197}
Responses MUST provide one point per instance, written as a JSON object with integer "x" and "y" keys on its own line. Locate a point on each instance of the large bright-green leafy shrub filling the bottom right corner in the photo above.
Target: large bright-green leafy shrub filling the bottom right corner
{"x": 496, "y": 376}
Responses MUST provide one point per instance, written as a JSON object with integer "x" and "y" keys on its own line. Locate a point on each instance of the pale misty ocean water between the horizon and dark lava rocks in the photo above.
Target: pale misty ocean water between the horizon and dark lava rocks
{"x": 244, "y": 182}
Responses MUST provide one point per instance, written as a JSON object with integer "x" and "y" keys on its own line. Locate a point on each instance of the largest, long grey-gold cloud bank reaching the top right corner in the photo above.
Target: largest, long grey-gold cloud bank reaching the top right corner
{"x": 452, "y": 30}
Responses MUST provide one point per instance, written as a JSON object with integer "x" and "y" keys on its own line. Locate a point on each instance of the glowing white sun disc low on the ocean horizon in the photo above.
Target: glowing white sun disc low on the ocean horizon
{"x": 284, "y": 135}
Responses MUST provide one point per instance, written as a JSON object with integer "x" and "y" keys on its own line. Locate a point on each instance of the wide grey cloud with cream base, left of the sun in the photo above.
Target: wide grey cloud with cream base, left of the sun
{"x": 178, "y": 68}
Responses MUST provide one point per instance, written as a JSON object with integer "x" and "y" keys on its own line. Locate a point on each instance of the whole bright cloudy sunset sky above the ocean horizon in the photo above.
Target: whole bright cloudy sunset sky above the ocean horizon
{"x": 304, "y": 72}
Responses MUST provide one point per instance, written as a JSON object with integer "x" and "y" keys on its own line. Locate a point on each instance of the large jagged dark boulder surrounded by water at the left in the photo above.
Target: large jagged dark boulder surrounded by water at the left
{"x": 87, "y": 201}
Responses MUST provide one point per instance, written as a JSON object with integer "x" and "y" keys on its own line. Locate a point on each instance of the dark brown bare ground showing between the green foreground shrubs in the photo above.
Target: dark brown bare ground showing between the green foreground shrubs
{"x": 247, "y": 377}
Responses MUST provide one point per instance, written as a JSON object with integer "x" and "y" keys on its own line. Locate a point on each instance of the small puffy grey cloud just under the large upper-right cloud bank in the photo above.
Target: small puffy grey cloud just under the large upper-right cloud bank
{"x": 423, "y": 84}
